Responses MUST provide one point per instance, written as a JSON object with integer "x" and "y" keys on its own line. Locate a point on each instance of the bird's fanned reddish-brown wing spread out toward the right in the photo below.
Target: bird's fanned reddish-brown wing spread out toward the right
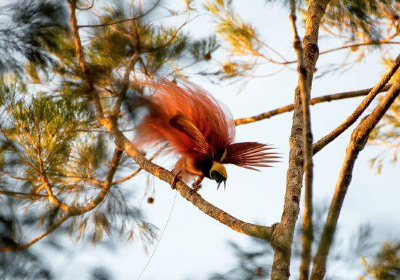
{"x": 250, "y": 155}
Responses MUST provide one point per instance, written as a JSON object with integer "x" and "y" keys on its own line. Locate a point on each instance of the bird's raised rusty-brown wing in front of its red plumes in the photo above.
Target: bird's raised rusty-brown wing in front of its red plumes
{"x": 184, "y": 125}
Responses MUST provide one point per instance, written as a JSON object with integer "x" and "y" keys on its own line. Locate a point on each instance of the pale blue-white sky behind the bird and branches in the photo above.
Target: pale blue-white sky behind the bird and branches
{"x": 194, "y": 245}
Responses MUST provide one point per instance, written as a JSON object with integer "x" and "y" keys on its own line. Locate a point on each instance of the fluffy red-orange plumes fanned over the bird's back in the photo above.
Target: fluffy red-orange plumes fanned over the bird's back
{"x": 186, "y": 117}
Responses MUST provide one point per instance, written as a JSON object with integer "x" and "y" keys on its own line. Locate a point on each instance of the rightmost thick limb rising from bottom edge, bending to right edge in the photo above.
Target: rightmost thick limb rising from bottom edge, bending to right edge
{"x": 357, "y": 142}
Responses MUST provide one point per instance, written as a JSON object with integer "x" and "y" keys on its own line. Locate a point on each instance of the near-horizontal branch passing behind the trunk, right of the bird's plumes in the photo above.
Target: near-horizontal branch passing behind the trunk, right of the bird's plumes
{"x": 313, "y": 101}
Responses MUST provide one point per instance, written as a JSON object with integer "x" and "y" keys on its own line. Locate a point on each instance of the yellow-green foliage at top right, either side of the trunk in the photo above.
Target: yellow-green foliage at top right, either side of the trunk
{"x": 360, "y": 27}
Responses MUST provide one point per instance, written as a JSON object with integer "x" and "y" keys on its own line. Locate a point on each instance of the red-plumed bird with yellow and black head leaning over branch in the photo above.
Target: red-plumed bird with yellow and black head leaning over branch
{"x": 198, "y": 129}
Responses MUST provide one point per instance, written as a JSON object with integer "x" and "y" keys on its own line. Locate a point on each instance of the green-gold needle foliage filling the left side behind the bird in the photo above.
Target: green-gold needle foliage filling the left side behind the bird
{"x": 49, "y": 137}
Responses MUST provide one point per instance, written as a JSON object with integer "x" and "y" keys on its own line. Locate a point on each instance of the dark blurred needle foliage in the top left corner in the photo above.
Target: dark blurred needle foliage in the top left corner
{"x": 29, "y": 29}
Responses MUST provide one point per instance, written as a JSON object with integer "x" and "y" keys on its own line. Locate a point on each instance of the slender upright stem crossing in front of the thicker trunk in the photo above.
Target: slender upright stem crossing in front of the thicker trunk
{"x": 305, "y": 92}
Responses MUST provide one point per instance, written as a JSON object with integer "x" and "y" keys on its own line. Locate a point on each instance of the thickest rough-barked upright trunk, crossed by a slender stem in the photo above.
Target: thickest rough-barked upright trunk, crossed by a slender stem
{"x": 282, "y": 238}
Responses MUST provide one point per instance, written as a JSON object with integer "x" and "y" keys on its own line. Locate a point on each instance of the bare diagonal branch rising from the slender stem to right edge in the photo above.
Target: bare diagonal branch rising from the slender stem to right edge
{"x": 320, "y": 144}
